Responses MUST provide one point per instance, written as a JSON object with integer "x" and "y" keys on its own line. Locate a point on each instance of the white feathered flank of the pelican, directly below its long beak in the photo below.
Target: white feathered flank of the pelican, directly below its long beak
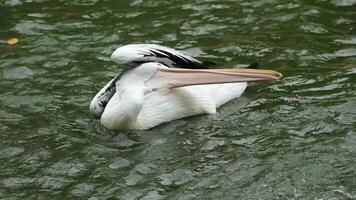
{"x": 167, "y": 105}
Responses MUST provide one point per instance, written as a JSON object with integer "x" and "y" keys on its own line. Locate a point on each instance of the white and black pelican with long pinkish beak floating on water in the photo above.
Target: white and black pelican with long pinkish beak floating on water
{"x": 160, "y": 84}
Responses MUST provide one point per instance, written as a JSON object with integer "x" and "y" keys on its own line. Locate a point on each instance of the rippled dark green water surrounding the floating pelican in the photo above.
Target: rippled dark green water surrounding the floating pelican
{"x": 290, "y": 139}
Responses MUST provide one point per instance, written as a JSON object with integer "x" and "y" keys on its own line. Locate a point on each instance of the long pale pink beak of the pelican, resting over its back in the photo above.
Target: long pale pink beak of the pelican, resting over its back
{"x": 177, "y": 77}
